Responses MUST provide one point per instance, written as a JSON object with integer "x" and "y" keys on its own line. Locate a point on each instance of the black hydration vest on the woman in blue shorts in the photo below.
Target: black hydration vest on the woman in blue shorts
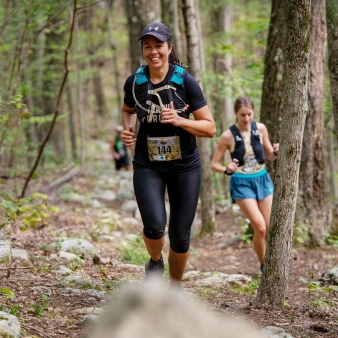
{"x": 256, "y": 144}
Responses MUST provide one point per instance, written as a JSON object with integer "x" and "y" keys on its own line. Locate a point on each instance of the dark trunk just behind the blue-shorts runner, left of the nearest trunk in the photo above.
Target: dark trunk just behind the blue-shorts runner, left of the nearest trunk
{"x": 271, "y": 109}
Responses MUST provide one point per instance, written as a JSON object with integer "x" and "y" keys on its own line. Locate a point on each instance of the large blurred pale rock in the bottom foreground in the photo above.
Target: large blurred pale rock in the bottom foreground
{"x": 152, "y": 310}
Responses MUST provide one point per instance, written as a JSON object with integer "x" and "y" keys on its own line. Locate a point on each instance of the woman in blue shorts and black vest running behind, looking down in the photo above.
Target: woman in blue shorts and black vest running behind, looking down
{"x": 250, "y": 185}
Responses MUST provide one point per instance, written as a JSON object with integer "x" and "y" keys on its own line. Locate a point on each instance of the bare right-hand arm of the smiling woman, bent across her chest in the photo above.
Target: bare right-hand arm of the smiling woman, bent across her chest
{"x": 202, "y": 126}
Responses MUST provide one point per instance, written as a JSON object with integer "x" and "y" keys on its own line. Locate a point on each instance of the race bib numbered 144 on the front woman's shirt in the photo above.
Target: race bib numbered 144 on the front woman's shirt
{"x": 164, "y": 148}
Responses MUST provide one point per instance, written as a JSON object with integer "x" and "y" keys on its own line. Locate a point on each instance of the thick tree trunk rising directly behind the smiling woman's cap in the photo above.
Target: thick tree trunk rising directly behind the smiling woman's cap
{"x": 140, "y": 14}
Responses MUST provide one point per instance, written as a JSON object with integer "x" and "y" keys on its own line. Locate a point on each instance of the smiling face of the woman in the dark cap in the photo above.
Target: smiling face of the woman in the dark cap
{"x": 155, "y": 52}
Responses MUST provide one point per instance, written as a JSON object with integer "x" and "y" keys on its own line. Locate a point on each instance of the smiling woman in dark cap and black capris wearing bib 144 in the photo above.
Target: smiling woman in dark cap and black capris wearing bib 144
{"x": 162, "y": 95}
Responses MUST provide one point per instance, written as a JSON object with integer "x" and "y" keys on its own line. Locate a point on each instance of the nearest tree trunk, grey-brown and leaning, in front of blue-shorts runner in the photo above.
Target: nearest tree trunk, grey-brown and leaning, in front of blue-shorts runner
{"x": 276, "y": 265}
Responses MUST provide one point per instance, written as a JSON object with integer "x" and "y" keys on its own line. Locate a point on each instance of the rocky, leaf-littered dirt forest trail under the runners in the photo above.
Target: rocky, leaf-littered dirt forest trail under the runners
{"x": 93, "y": 246}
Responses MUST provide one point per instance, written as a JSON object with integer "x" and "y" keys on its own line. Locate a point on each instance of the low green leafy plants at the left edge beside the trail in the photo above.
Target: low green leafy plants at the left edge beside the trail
{"x": 27, "y": 212}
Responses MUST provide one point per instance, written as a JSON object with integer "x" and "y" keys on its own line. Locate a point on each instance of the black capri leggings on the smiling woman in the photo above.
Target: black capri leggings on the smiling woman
{"x": 183, "y": 193}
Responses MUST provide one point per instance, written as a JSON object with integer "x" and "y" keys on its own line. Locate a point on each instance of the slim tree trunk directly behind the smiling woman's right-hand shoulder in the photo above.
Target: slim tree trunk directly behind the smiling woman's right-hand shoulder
{"x": 207, "y": 205}
